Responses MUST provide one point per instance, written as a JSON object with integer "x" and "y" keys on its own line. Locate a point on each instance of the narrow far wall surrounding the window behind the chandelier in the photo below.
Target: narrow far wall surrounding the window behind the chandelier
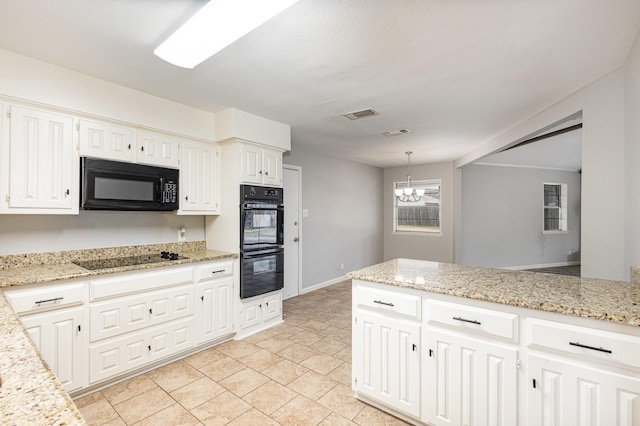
{"x": 422, "y": 246}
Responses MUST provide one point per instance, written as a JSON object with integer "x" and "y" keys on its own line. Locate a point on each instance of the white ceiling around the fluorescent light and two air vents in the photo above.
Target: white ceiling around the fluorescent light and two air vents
{"x": 456, "y": 73}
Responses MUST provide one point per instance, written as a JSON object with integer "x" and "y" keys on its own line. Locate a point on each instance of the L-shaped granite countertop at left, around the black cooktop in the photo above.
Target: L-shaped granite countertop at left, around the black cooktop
{"x": 30, "y": 394}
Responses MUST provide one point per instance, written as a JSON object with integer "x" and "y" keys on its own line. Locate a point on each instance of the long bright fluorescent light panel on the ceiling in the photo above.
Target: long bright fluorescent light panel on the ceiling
{"x": 218, "y": 24}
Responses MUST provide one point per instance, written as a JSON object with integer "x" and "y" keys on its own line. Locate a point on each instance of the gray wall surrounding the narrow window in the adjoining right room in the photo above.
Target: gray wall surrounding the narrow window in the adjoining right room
{"x": 502, "y": 217}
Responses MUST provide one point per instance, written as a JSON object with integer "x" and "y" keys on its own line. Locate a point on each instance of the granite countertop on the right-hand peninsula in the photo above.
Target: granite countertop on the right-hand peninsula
{"x": 614, "y": 301}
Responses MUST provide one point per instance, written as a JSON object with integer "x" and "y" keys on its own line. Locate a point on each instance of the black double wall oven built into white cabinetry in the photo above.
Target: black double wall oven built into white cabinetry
{"x": 261, "y": 240}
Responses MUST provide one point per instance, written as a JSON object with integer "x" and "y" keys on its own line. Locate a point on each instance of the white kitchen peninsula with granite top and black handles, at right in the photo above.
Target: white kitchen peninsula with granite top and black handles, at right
{"x": 440, "y": 343}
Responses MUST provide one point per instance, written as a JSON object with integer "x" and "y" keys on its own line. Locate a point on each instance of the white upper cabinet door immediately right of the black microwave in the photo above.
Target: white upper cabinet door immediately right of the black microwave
{"x": 199, "y": 178}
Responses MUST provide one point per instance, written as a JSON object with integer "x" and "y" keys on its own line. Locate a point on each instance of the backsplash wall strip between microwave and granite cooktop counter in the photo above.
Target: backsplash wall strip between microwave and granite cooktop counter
{"x": 93, "y": 229}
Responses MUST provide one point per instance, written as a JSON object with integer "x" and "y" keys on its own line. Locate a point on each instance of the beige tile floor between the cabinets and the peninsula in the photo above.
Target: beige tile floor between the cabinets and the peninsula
{"x": 297, "y": 373}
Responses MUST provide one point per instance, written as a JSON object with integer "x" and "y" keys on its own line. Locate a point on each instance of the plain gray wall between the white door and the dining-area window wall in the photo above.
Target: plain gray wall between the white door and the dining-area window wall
{"x": 344, "y": 200}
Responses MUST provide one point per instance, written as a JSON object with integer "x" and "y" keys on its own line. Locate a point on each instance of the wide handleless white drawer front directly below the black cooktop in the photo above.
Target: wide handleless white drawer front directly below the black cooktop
{"x": 135, "y": 282}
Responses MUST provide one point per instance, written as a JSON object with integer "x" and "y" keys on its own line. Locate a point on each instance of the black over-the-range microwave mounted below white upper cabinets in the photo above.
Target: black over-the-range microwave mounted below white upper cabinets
{"x": 113, "y": 185}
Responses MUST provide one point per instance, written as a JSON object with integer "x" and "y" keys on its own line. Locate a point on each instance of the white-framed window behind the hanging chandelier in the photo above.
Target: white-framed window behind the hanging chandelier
{"x": 422, "y": 216}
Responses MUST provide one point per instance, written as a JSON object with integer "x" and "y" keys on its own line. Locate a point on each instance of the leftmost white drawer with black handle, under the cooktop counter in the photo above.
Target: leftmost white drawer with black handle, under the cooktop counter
{"x": 42, "y": 298}
